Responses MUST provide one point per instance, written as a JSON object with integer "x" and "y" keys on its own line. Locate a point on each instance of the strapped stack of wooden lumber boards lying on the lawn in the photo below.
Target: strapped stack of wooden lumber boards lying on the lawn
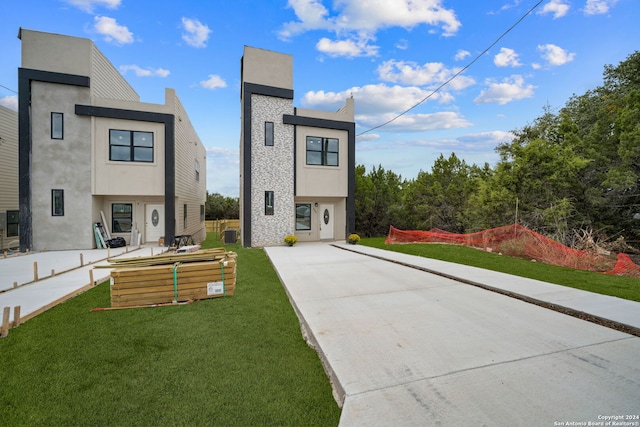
{"x": 177, "y": 282}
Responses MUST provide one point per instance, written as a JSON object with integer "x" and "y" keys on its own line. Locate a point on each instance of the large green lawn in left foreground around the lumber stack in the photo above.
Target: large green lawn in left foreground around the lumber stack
{"x": 238, "y": 360}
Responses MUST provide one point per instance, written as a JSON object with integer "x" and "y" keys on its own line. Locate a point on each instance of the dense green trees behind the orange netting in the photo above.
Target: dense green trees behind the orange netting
{"x": 575, "y": 169}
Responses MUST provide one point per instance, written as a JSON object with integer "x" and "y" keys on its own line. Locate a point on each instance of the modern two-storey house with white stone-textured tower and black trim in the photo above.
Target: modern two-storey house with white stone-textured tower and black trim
{"x": 297, "y": 166}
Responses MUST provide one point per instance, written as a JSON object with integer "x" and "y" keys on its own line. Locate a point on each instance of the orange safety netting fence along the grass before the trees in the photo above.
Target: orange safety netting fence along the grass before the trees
{"x": 518, "y": 241}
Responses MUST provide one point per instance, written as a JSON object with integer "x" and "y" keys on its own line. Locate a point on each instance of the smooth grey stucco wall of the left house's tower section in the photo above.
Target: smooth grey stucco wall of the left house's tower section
{"x": 60, "y": 164}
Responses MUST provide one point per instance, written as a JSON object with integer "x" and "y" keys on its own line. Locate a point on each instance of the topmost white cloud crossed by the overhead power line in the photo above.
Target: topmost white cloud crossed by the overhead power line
{"x": 431, "y": 73}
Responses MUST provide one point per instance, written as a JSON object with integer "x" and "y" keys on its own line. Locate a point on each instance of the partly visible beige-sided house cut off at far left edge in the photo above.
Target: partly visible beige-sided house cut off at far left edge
{"x": 8, "y": 178}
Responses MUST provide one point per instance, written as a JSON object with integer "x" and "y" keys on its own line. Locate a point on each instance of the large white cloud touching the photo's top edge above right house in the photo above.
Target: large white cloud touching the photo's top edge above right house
{"x": 369, "y": 16}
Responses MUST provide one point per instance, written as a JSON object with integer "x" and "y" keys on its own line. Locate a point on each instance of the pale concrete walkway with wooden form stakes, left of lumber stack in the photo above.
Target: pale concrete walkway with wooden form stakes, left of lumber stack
{"x": 69, "y": 277}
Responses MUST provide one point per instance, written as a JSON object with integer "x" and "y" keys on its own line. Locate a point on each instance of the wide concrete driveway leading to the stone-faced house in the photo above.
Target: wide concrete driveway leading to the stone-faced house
{"x": 405, "y": 347}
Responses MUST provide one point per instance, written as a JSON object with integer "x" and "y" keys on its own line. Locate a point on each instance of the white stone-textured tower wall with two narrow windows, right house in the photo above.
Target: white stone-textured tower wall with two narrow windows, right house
{"x": 272, "y": 170}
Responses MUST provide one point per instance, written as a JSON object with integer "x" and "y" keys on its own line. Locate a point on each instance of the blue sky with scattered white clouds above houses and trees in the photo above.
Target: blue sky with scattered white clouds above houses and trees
{"x": 388, "y": 54}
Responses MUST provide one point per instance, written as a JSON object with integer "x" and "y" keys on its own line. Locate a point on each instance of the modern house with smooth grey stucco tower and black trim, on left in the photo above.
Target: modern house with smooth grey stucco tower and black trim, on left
{"x": 90, "y": 151}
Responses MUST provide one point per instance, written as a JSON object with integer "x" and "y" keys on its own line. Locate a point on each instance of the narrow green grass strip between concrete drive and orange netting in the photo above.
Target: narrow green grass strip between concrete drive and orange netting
{"x": 617, "y": 286}
